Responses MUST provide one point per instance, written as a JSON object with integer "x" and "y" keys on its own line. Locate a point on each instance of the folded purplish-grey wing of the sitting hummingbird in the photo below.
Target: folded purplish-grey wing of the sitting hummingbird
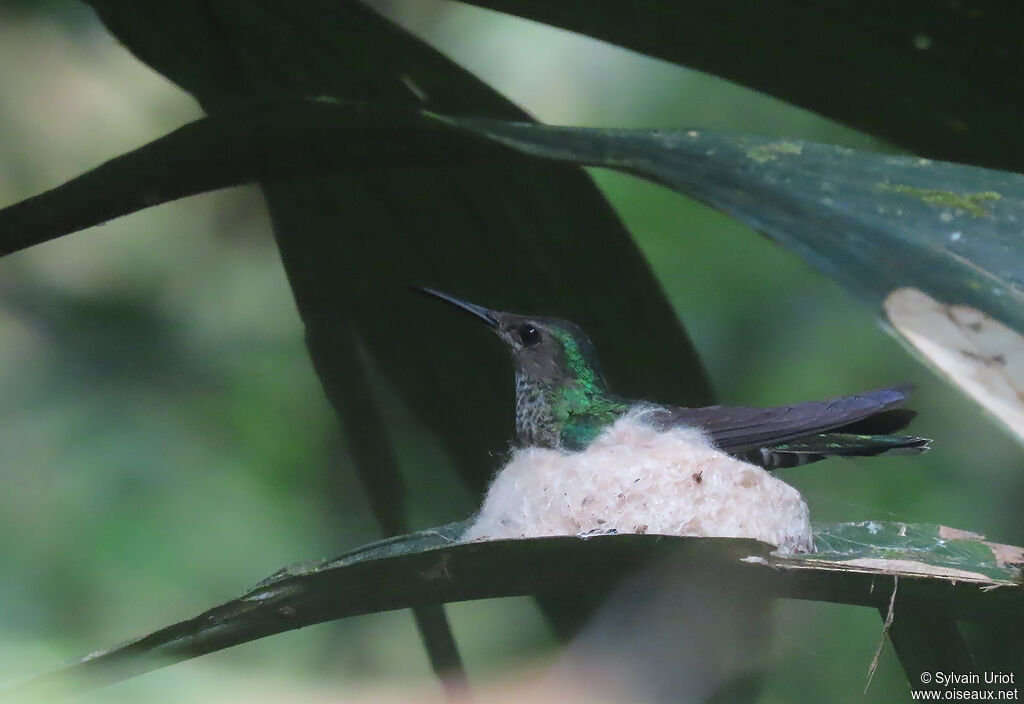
{"x": 736, "y": 429}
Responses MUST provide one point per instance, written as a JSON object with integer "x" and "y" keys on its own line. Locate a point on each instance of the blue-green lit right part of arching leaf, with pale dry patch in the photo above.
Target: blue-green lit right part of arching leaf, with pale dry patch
{"x": 877, "y": 225}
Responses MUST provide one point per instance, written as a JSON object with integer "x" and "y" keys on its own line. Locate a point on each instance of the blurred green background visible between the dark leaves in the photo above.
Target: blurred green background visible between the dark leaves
{"x": 165, "y": 444}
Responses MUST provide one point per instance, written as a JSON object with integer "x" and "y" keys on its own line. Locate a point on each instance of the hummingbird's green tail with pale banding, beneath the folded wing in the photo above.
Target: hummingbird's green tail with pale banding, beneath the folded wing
{"x": 825, "y": 446}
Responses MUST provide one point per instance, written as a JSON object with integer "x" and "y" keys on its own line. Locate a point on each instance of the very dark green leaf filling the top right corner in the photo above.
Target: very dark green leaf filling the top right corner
{"x": 926, "y": 76}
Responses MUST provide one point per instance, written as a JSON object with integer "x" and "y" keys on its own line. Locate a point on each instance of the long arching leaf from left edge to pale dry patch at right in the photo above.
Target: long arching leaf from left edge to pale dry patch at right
{"x": 882, "y": 227}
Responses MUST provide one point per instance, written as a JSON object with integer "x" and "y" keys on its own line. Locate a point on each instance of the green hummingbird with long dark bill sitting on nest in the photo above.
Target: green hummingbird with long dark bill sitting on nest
{"x": 563, "y": 403}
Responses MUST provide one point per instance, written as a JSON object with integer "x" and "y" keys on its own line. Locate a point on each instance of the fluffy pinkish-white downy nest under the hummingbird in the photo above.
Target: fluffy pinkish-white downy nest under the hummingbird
{"x": 635, "y": 479}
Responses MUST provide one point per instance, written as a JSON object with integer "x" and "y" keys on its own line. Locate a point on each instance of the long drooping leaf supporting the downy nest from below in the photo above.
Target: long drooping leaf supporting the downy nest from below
{"x": 434, "y": 567}
